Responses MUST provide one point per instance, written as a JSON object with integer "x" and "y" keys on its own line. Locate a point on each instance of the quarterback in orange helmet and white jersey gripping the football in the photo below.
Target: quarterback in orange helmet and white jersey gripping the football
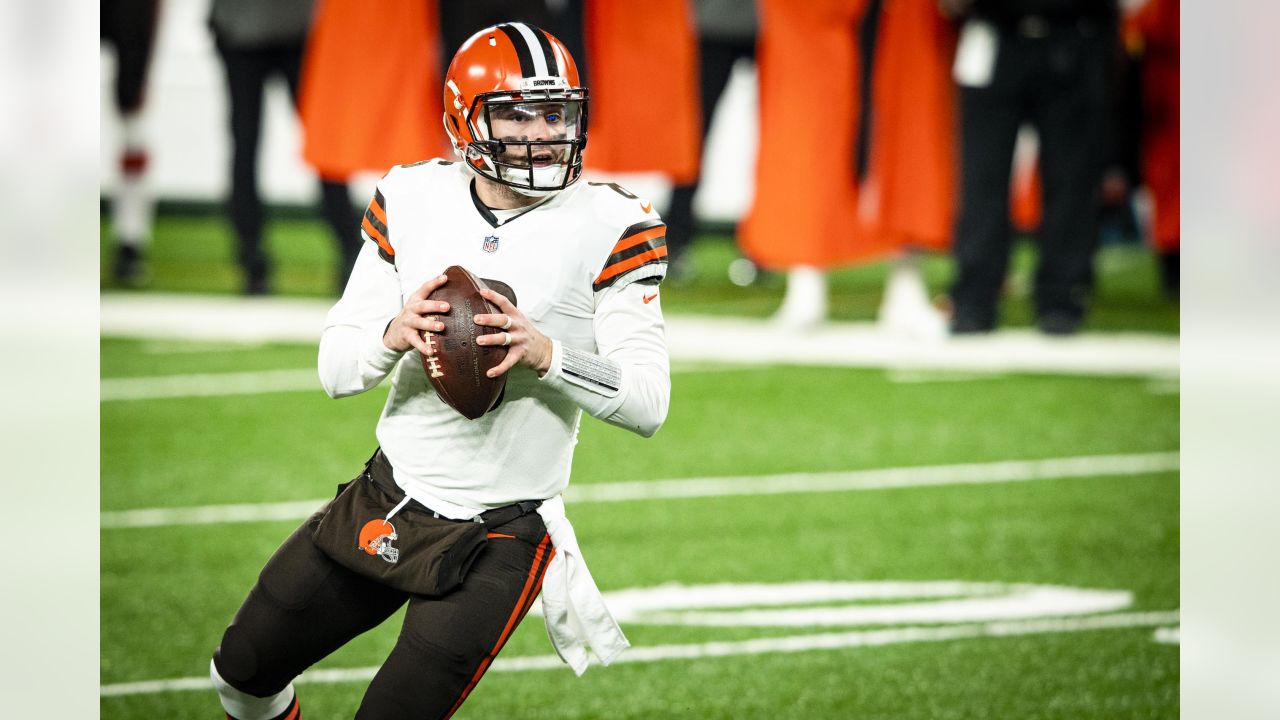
{"x": 463, "y": 520}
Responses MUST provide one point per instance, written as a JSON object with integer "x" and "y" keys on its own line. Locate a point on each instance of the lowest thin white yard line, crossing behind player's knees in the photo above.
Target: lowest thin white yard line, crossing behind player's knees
{"x": 762, "y": 646}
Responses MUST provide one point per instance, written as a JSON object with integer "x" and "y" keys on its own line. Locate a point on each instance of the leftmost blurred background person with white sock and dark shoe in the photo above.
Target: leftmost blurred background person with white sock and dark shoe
{"x": 130, "y": 29}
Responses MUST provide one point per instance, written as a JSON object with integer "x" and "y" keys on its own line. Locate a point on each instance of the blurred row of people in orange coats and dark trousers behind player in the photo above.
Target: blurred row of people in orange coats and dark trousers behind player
{"x": 888, "y": 130}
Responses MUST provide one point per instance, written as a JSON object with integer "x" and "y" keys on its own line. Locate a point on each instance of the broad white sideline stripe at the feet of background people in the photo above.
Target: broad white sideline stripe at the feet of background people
{"x": 689, "y": 338}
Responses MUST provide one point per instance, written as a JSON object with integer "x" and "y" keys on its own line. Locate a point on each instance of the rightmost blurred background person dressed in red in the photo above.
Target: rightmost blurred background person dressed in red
{"x": 1153, "y": 39}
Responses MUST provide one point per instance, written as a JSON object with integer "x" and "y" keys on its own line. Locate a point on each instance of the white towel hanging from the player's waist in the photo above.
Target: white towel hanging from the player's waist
{"x": 573, "y": 607}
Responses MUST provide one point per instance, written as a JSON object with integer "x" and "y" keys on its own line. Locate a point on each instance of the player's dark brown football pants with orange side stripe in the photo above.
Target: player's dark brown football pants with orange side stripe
{"x": 305, "y": 607}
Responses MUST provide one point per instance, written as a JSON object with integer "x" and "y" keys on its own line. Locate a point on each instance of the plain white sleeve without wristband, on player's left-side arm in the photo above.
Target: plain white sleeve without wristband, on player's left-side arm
{"x": 353, "y": 356}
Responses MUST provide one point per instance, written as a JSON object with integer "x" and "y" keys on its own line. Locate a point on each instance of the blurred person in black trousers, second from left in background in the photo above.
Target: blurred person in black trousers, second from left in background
{"x": 255, "y": 43}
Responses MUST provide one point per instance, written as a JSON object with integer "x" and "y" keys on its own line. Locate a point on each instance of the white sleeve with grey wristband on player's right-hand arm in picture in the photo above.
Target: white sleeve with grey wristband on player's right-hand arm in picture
{"x": 628, "y": 384}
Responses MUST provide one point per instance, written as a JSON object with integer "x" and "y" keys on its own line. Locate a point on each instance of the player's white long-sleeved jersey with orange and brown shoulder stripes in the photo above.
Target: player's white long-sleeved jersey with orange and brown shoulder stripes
{"x": 584, "y": 266}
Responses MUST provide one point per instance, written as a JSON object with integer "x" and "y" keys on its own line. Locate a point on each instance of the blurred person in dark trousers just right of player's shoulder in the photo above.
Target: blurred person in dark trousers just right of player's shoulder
{"x": 726, "y": 34}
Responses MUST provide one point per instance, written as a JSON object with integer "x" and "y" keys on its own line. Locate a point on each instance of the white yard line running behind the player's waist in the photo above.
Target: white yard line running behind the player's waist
{"x": 929, "y": 476}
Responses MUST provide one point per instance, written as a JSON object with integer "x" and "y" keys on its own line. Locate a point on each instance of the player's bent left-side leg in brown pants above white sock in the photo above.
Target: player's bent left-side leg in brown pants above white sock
{"x": 303, "y": 608}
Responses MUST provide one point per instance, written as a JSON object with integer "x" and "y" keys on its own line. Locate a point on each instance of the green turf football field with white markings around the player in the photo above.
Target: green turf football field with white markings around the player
{"x": 796, "y": 543}
